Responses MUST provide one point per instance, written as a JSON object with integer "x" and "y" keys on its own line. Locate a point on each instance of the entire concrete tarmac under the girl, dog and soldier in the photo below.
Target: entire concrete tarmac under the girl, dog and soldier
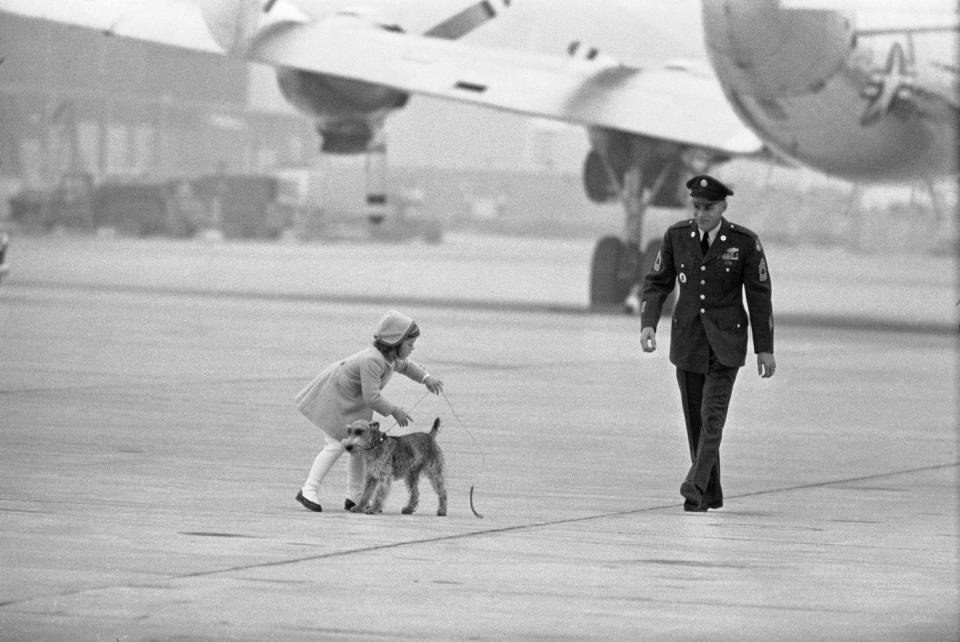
{"x": 150, "y": 451}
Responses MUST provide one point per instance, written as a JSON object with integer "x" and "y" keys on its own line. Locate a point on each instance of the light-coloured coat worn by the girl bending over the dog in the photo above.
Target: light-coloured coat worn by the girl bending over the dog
{"x": 350, "y": 389}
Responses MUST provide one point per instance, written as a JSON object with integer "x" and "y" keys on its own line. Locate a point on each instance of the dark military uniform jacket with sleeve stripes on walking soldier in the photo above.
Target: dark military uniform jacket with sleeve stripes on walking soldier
{"x": 709, "y": 312}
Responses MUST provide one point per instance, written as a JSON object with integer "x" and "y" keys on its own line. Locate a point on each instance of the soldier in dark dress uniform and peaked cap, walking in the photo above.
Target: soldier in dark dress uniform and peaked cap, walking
{"x": 714, "y": 262}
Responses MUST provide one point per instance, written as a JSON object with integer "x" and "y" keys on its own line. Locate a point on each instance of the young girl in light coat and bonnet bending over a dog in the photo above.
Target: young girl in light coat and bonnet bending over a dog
{"x": 349, "y": 390}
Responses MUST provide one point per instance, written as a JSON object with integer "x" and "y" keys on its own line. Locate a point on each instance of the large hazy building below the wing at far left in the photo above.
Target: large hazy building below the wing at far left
{"x": 75, "y": 101}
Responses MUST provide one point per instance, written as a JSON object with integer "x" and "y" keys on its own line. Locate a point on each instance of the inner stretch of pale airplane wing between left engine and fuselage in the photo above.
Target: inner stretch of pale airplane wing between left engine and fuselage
{"x": 672, "y": 103}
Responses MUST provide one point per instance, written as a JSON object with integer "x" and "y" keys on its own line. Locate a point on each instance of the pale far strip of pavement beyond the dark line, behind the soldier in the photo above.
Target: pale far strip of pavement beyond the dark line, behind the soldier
{"x": 813, "y": 284}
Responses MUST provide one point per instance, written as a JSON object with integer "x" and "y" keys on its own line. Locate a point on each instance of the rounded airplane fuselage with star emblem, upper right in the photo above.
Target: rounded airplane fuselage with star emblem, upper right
{"x": 862, "y": 107}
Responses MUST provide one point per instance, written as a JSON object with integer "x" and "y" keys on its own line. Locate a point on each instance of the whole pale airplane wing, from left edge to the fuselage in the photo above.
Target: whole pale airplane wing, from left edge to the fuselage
{"x": 670, "y": 103}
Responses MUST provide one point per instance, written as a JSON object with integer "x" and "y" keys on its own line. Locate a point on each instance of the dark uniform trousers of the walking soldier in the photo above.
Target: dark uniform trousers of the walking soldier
{"x": 705, "y": 399}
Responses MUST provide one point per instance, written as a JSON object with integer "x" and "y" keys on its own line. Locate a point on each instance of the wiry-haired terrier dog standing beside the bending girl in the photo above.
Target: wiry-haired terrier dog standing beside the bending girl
{"x": 387, "y": 458}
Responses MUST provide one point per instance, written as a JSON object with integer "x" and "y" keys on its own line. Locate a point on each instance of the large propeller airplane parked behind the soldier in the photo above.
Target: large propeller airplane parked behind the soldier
{"x": 833, "y": 85}
